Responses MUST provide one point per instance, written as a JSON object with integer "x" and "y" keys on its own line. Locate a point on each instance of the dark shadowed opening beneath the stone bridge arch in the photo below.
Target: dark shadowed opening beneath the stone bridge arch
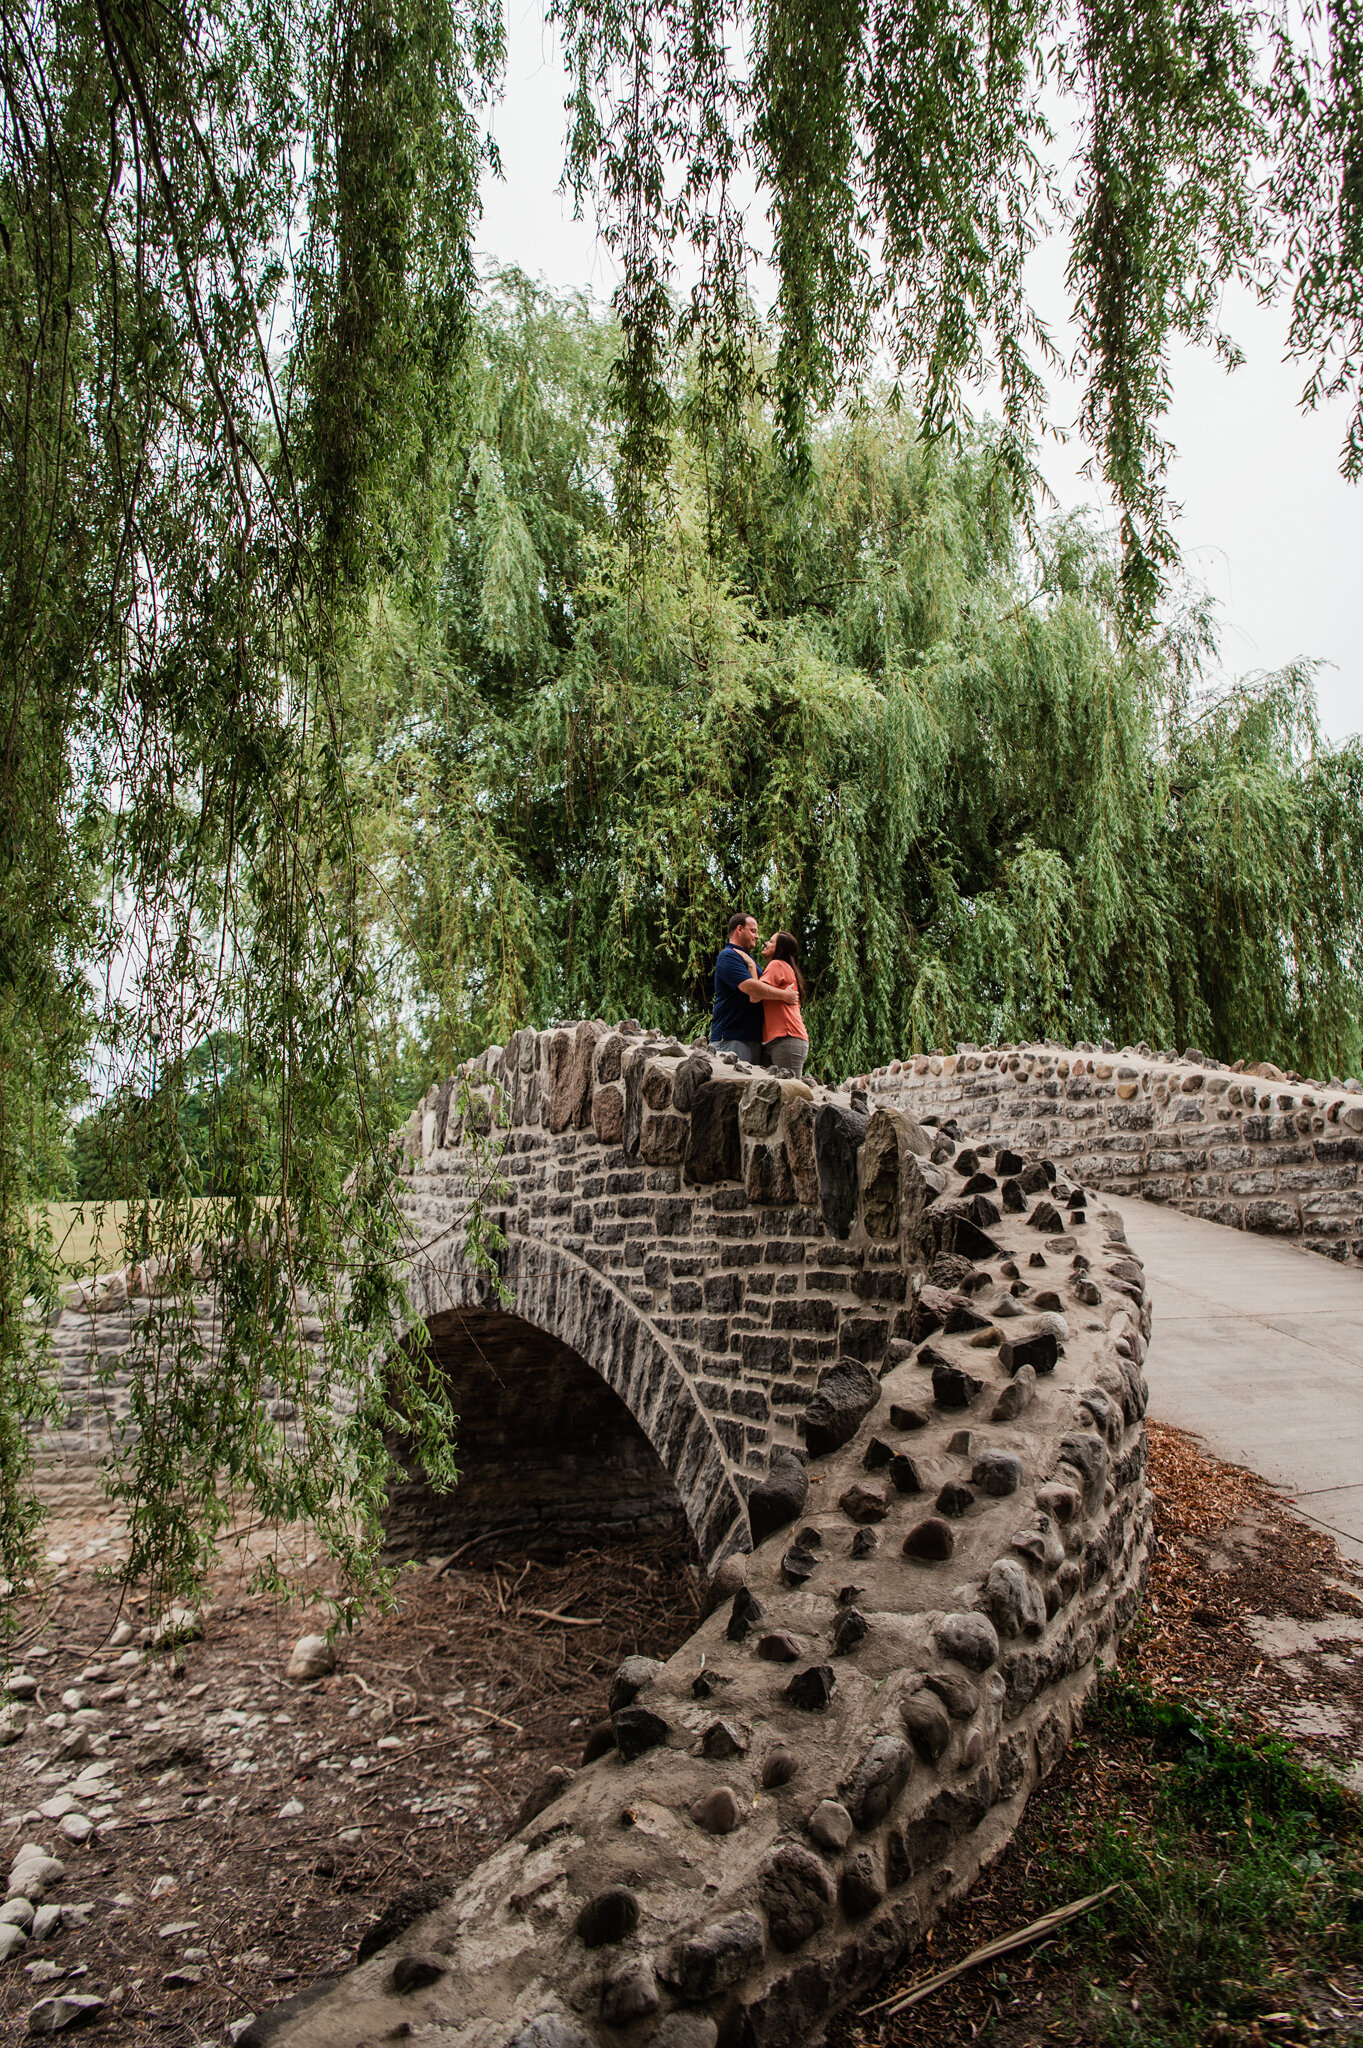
{"x": 547, "y": 1451}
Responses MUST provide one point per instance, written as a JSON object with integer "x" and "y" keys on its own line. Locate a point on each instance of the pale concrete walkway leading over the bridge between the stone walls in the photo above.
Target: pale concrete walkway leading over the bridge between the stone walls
{"x": 1260, "y": 1349}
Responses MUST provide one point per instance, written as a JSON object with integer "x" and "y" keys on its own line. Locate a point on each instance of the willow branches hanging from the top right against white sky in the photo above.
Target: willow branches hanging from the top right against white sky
{"x": 912, "y": 153}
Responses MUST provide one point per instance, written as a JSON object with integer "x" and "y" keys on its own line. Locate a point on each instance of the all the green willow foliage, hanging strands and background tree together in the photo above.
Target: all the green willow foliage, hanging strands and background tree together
{"x": 388, "y": 663}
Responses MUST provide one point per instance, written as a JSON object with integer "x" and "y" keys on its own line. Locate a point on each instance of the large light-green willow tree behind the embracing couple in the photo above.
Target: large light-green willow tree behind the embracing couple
{"x": 885, "y": 722}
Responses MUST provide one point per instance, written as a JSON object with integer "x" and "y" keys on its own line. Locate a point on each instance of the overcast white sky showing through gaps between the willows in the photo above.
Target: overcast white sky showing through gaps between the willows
{"x": 1268, "y": 521}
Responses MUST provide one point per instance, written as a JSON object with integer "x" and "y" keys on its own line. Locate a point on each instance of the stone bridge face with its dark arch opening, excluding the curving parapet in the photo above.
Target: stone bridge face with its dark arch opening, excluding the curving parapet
{"x": 691, "y": 1232}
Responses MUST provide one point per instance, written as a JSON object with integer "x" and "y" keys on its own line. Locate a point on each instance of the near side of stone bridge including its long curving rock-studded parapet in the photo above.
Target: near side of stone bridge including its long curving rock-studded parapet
{"x": 904, "y": 1418}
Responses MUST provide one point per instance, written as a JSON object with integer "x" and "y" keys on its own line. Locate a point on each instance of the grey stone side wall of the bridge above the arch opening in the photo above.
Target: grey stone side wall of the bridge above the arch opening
{"x": 691, "y": 1228}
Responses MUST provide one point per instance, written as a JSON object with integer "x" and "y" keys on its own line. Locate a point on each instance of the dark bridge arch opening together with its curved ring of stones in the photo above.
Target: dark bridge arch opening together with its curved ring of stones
{"x": 574, "y": 1418}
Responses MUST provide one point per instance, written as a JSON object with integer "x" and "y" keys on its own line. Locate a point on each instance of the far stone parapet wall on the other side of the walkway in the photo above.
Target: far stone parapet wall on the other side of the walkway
{"x": 1251, "y": 1150}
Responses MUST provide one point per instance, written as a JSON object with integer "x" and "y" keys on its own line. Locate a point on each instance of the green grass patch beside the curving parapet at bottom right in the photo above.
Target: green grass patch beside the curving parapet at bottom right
{"x": 1239, "y": 1869}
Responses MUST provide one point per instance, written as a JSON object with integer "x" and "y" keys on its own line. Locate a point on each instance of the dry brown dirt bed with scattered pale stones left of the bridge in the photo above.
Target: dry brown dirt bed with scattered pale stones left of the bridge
{"x": 249, "y": 1830}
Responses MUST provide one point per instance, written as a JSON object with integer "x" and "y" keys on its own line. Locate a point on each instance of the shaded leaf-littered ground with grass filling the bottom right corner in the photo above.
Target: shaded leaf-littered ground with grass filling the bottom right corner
{"x": 1239, "y": 1895}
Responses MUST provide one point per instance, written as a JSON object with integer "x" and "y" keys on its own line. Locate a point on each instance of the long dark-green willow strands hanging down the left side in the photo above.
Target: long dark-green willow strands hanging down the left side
{"x": 234, "y": 286}
